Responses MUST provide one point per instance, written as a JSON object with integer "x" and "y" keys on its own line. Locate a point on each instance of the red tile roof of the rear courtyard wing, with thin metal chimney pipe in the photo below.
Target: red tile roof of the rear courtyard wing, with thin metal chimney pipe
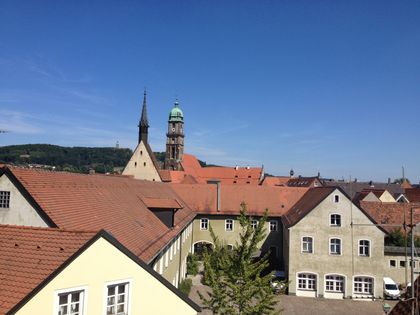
{"x": 203, "y": 198}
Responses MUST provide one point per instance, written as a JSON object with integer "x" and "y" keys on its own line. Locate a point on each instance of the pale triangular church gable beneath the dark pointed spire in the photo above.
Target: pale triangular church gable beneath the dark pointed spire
{"x": 141, "y": 165}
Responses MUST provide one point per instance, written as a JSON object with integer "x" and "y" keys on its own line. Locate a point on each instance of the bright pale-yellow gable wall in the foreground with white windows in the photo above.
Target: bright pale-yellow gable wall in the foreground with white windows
{"x": 100, "y": 264}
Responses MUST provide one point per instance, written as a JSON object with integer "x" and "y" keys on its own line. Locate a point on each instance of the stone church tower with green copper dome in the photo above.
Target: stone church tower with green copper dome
{"x": 175, "y": 139}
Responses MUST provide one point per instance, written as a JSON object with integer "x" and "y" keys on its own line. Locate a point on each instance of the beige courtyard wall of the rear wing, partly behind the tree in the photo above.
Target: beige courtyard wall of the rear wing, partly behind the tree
{"x": 217, "y": 223}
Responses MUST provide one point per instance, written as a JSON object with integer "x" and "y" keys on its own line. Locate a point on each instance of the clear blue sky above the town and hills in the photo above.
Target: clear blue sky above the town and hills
{"x": 328, "y": 86}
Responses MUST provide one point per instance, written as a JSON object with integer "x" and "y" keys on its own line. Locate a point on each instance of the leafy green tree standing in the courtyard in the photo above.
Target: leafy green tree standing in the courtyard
{"x": 236, "y": 279}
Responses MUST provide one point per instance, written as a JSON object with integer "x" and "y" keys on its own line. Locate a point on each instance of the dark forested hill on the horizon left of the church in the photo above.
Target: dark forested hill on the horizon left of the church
{"x": 73, "y": 159}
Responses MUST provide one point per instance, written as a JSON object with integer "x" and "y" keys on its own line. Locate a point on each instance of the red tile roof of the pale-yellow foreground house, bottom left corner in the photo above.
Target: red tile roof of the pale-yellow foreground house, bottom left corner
{"x": 29, "y": 255}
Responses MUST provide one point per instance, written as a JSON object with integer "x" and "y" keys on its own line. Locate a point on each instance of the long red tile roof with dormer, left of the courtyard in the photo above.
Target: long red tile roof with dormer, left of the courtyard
{"x": 113, "y": 203}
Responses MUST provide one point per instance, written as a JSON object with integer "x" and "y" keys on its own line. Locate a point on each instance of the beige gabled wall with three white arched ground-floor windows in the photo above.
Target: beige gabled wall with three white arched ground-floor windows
{"x": 316, "y": 224}
